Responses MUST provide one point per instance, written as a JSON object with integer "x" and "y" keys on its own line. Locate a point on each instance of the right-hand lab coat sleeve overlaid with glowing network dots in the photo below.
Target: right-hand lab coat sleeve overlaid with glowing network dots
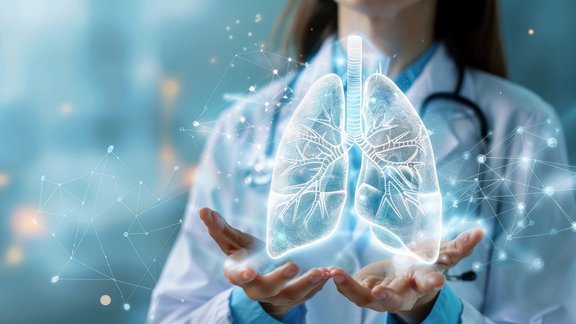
{"x": 533, "y": 245}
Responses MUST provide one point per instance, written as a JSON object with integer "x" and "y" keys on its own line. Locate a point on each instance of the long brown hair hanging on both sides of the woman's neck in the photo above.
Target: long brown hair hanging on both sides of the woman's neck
{"x": 469, "y": 29}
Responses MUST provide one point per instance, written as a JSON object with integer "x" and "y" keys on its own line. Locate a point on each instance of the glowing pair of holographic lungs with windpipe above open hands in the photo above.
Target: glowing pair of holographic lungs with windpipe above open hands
{"x": 397, "y": 190}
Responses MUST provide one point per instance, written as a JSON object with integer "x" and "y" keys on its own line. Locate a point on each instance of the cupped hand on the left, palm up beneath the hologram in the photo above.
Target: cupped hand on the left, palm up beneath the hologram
{"x": 276, "y": 291}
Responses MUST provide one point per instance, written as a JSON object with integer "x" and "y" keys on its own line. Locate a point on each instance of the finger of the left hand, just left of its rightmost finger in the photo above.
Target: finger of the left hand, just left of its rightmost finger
{"x": 265, "y": 286}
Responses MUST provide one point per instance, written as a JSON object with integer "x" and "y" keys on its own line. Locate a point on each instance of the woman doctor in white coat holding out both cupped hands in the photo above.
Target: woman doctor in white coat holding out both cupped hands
{"x": 447, "y": 57}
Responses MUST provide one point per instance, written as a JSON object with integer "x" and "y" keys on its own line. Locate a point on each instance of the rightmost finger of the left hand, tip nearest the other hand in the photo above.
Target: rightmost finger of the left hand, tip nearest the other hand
{"x": 306, "y": 286}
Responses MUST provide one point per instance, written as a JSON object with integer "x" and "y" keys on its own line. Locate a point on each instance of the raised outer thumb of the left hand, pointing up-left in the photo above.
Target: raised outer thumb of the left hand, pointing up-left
{"x": 227, "y": 237}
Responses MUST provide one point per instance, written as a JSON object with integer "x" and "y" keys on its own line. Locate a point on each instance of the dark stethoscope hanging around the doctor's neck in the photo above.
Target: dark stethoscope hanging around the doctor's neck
{"x": 260, "y": 176}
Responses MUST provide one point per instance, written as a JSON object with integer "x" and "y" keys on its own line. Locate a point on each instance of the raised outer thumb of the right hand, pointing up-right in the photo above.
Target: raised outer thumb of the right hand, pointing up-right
{"x": 462, "y": 246}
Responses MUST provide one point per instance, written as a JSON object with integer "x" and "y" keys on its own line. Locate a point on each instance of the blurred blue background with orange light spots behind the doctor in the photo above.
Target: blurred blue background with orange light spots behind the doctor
{"x": 94, "y": 98}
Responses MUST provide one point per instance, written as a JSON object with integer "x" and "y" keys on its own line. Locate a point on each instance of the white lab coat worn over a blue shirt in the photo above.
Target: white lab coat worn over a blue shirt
{"x": 192, "y": 287}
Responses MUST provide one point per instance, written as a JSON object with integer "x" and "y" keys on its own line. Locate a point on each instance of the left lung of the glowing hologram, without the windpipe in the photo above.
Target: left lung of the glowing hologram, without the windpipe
{"x": 308, "y": 189}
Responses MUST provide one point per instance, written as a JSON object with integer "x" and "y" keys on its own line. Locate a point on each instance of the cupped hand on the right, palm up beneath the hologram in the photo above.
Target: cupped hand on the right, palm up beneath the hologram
{"x": 408, "y": 293}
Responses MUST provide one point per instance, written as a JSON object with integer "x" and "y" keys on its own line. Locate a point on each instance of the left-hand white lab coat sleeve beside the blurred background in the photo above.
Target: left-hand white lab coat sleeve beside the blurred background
{"x": 192, "y": 288}
